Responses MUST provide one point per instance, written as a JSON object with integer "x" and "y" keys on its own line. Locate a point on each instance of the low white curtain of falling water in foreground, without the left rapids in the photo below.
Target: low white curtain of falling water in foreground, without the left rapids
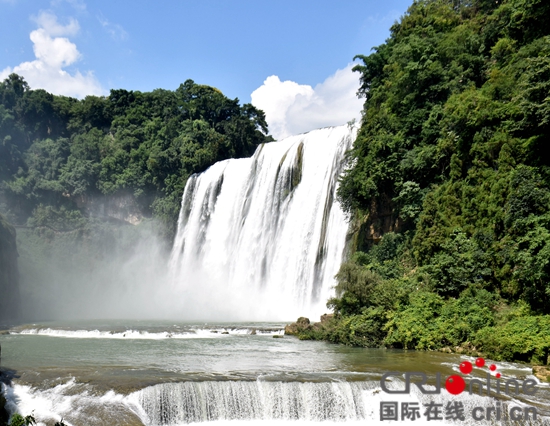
{"x": 282, "y": 402}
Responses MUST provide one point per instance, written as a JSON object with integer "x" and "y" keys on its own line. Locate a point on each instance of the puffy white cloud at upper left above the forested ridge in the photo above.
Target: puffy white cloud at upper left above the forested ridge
{"x": 53, "y": 53}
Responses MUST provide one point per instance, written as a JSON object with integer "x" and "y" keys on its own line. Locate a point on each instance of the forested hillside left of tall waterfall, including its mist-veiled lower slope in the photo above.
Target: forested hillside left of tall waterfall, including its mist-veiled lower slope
{"x": 76, "y": 175}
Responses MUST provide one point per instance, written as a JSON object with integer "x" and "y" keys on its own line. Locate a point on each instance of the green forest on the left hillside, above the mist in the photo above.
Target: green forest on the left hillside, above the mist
{"x": 59, "y": 156}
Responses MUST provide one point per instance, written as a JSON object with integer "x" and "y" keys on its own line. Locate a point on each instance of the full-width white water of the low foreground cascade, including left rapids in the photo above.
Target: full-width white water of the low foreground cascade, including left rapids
{"x": 234, "y": 402}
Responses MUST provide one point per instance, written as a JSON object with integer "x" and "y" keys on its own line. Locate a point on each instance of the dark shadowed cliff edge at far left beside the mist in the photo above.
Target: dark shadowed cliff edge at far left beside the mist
{"x": 9, "y": 274}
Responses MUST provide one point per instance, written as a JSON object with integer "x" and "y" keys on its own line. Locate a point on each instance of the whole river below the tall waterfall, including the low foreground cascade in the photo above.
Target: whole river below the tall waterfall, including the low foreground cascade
{"x": 137, "y": 372}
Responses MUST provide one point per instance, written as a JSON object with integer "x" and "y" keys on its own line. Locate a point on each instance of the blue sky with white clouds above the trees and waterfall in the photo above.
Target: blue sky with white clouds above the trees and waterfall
{"x": 290, "y": 58}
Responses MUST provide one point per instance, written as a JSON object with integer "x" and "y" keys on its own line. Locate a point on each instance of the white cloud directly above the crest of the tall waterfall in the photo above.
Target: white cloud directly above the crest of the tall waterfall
{"x": 293, "y": 108}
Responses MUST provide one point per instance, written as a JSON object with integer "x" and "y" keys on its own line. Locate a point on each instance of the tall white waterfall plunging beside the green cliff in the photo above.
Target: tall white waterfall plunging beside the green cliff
{"x": 262, "y": 237}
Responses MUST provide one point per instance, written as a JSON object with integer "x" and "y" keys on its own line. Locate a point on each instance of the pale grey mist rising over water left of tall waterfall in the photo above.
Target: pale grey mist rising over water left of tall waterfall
{"x": 109, "y": 272}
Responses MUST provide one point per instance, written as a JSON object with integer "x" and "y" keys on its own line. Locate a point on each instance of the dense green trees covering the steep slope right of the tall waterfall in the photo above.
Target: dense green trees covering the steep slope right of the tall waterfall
{"x": 448, "y": 186}
